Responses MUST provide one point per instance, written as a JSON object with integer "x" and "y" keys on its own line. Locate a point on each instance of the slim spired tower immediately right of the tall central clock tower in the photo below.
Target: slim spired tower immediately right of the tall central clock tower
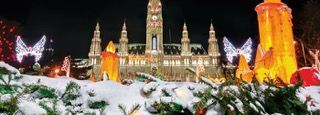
{"x": 185, "y": 42}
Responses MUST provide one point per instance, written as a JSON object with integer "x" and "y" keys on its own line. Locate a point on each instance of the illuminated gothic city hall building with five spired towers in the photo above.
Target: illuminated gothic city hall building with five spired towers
{"x": 155, "y": 57}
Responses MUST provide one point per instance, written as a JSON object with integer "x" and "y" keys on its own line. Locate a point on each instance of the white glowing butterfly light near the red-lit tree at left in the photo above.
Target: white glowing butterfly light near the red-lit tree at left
{"x": 22, "y": 49}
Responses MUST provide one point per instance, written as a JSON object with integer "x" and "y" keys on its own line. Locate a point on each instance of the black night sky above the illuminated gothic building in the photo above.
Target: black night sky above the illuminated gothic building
{"x": 71, "y": 24}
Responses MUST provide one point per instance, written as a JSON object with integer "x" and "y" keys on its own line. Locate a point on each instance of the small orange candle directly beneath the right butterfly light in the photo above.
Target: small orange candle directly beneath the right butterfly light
{"x": 244, "y": 72}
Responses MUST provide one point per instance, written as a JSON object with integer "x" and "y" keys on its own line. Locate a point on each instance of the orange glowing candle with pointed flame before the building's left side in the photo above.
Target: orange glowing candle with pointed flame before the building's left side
{"x": 110, "y": 63}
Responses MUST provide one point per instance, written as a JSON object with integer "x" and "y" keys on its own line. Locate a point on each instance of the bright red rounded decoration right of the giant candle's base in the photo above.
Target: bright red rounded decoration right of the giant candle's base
{"x": 308, "y": 75}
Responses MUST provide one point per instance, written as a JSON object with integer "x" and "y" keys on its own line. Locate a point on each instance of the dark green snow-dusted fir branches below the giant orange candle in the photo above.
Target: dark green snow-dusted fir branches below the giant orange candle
{"x": 232, "y": 98}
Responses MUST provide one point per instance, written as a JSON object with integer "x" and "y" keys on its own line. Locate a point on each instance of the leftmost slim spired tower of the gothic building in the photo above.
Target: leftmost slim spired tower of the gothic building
{"x": 95, "y": 52}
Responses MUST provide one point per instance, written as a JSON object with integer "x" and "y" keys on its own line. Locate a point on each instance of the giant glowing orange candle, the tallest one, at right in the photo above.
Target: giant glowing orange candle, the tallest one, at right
{"x": 275, "y": 28}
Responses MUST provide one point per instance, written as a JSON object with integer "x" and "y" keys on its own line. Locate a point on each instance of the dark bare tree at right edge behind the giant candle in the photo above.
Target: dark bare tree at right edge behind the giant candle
{"x": 307, "y": 31}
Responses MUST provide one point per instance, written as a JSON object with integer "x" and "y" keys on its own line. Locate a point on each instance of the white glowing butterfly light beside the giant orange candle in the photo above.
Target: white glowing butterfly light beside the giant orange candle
{"x": 231, "y": 51}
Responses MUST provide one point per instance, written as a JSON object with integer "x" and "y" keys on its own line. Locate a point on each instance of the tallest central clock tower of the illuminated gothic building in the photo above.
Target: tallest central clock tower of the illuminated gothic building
{"x": 154, "y": 29}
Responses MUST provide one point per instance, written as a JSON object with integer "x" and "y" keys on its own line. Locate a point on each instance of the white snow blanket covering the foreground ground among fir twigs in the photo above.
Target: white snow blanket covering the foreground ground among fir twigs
{"x": 116, "y": 94}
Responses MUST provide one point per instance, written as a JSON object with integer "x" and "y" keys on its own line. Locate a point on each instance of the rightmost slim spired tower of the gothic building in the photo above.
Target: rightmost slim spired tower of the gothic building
{"x": 213, "y": 48}
